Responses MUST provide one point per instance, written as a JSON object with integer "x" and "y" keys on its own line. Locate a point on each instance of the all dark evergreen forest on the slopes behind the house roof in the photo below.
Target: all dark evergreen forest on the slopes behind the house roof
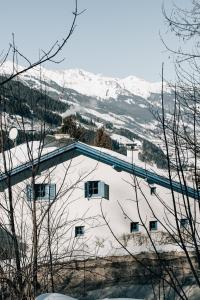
{"x": 18, "y": 99}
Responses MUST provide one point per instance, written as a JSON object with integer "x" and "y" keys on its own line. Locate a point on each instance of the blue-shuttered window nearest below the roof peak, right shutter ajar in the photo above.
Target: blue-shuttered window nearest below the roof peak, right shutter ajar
{"x": 96, "y": 189}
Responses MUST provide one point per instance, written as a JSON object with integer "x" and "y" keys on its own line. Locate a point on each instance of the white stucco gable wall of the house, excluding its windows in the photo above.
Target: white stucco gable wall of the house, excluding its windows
{"x": 130, "y": 201}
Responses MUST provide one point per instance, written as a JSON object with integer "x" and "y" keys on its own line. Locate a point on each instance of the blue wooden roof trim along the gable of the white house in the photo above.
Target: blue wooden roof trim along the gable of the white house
{"x": 65, "y": 153}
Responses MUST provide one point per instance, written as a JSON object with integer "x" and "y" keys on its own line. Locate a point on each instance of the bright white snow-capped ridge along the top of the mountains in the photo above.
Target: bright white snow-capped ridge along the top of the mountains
{"x": 86, "y": 83}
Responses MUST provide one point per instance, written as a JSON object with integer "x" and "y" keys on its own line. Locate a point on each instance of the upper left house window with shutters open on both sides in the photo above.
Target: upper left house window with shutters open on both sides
{"x": 43, "y": 191}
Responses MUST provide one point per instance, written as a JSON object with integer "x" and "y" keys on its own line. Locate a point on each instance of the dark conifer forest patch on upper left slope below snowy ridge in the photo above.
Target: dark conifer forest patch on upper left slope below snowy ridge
{"x": 19, "y": 99}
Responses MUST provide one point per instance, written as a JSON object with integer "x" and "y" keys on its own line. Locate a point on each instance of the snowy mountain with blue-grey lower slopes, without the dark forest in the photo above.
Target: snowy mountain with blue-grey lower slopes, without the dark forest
{"x": 118, "y": 102}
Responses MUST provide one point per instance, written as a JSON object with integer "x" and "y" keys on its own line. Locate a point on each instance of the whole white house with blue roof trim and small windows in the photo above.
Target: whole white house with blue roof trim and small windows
{"x": 87, "y": 198}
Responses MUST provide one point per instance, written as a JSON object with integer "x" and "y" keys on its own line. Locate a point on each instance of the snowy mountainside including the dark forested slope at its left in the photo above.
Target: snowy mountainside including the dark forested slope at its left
{"x": 129, "y": 103}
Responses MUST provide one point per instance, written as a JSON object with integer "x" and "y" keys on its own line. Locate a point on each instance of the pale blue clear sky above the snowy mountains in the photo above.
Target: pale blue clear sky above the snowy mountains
{"x": 113, "y": 37}
